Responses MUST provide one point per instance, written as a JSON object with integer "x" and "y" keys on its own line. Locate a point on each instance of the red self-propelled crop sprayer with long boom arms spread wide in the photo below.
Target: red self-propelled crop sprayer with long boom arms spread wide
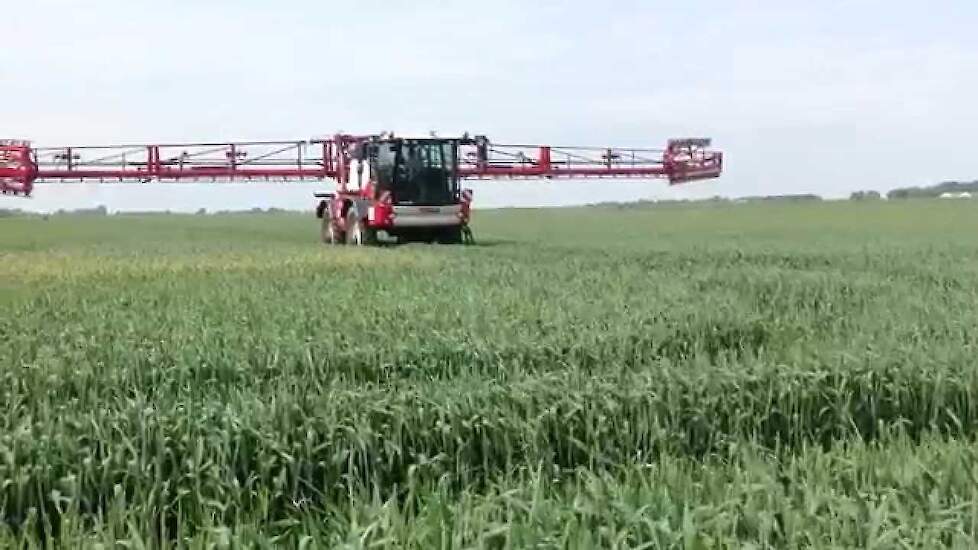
{"x": 406, "y": 187}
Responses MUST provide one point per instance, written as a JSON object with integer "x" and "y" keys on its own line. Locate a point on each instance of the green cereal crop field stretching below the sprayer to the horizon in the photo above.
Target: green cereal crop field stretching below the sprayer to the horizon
{"x": 794, "y": 375}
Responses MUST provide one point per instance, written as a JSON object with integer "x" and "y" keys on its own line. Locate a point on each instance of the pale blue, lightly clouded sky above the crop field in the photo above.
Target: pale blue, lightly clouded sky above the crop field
{"x": 820, "y": 97}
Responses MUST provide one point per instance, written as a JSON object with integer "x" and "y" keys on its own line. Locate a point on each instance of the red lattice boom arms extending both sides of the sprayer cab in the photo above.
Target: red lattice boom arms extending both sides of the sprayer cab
{"x": 21, "y": 165}
